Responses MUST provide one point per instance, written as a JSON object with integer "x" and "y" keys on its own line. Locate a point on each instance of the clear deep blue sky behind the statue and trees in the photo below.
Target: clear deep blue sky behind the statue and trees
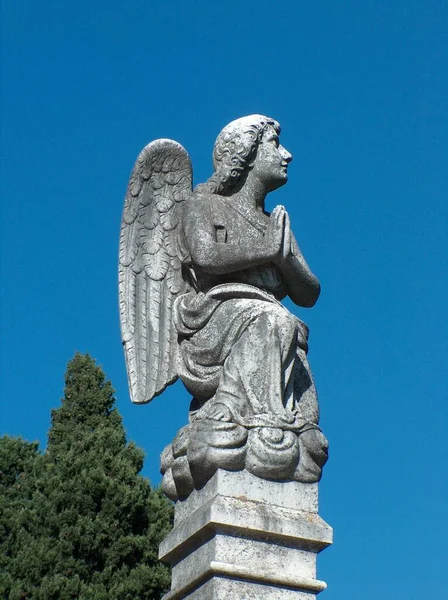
{"x": 361, "y": 91}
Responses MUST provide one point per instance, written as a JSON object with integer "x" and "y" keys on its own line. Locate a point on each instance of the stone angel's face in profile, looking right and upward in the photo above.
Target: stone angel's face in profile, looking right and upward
{"x": 271, "y": 162}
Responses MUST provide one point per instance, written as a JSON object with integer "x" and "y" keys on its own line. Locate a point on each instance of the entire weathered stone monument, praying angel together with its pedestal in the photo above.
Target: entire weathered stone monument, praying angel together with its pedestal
{"x": 201, "y": 278}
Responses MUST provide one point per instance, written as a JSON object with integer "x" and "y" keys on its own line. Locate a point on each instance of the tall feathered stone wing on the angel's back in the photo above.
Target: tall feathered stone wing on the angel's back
{"x": 150, "y": 270}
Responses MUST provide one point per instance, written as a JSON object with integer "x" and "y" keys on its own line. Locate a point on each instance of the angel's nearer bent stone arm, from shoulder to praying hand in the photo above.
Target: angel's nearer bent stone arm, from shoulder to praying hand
{"x": 219, "y": 258}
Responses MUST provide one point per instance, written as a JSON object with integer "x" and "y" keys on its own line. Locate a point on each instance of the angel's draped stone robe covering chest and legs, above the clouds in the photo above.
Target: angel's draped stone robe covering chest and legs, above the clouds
{"x": 238, "y": 345}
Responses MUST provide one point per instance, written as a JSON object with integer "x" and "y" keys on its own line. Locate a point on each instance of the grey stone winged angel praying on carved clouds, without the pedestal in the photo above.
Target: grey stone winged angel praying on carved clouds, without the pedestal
{"x": 201, "y": 277}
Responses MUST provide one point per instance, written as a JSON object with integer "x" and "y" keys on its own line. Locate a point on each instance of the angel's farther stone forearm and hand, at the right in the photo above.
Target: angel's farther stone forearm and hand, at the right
{"x": 302, "y": 286}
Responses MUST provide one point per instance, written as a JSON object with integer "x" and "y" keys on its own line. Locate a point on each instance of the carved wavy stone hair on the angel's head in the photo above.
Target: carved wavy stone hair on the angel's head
{"x": 235, "y": 149}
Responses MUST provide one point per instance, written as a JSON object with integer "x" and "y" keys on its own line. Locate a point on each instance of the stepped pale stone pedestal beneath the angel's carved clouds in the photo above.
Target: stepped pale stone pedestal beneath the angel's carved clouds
{"x": 245, "y": 538}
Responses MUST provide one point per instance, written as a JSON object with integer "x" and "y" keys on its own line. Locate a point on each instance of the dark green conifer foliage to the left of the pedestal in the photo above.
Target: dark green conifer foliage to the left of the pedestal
{"x": 79, "y": 522}
